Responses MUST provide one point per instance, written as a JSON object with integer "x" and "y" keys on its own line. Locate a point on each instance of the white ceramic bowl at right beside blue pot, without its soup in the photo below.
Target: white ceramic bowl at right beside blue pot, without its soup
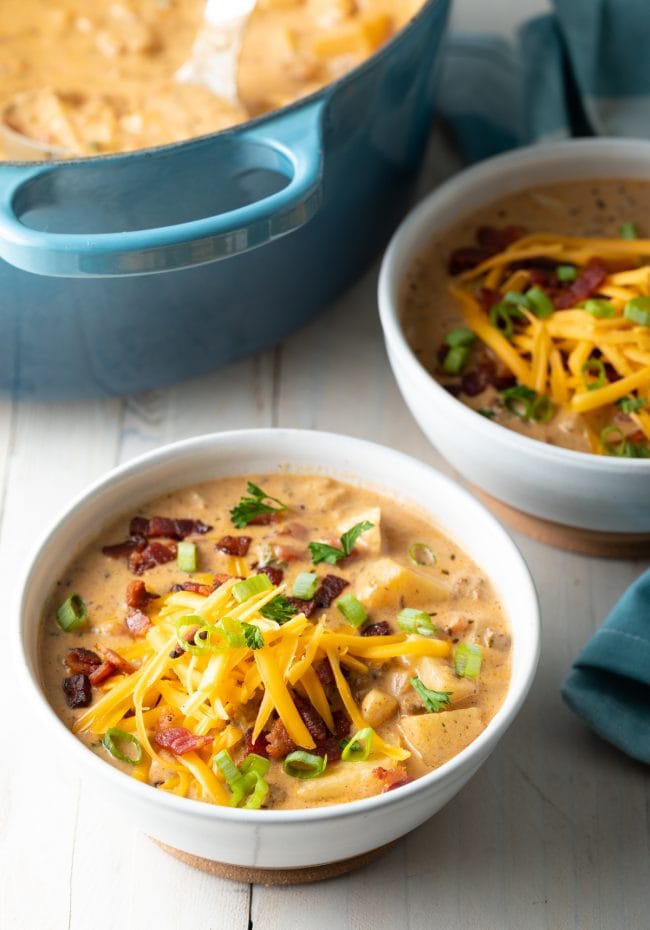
{"x": 593, "y": 492}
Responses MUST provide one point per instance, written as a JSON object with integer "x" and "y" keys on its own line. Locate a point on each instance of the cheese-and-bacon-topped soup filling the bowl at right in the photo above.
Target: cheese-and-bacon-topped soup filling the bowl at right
{"x": 535, "y": 312}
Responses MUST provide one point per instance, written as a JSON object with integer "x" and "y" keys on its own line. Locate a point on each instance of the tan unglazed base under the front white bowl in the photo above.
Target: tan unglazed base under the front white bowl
{"x": 259, "y": 876}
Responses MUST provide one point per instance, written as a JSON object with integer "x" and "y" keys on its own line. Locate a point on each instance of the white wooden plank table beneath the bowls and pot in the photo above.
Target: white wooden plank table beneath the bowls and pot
{"x": 553, "y": 832}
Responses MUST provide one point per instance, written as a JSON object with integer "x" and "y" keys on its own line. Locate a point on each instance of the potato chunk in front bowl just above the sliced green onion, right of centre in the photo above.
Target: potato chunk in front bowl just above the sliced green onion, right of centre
{"x": 388, "y": 584}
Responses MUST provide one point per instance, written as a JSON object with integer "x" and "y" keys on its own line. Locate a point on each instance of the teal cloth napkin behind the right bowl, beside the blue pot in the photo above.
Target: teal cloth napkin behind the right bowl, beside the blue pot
{"x": 582, "y": 70}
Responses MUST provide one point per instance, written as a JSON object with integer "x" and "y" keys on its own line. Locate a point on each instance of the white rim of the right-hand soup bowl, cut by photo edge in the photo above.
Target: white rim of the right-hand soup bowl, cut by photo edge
{"x": 397, "y": 260}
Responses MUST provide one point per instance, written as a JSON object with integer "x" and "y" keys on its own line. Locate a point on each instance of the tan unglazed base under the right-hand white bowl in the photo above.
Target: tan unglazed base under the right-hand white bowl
{"x": 573, "y": 538}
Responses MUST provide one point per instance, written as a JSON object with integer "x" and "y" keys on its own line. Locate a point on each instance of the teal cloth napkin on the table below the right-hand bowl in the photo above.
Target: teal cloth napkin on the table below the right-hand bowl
{"x": 609, "y": 686}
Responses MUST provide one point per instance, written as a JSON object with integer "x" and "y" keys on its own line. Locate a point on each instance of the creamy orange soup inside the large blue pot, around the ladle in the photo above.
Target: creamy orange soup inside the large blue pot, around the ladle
{"x": 94, "y": 78}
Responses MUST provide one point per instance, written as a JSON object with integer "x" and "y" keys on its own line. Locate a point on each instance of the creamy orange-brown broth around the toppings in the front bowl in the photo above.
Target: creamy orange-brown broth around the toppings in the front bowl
{"x": 380, "y": 573}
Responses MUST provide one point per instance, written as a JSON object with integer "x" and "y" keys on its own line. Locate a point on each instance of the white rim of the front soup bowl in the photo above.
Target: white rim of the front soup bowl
{"x": 188, "y": 807}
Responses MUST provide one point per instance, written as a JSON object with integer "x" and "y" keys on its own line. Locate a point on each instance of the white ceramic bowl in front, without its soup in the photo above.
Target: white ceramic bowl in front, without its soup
{"x": 299, "y": 838}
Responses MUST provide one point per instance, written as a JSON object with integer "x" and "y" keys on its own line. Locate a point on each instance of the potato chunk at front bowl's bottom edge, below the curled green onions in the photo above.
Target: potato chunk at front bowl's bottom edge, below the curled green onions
{"x": 346, "y": 782}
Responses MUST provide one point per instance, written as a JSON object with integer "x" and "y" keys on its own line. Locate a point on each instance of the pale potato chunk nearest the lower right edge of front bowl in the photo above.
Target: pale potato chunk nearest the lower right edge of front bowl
{"x": 439, "y": 737}
